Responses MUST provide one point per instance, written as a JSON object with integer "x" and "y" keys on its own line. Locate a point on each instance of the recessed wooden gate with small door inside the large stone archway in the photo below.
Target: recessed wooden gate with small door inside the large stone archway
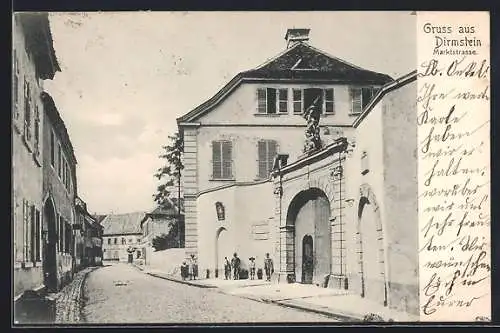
{"x": 309, "y": 214}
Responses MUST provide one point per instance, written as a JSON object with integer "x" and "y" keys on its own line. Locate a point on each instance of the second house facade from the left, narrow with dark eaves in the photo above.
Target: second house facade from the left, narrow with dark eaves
{"x": 59, "y": 189}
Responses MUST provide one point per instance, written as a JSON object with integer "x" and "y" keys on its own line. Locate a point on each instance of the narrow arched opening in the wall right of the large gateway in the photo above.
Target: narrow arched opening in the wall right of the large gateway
{"x": 371, "y": 248}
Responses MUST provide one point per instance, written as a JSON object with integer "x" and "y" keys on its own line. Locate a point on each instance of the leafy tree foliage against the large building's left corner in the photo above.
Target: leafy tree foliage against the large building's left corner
{"x": 169, "y": 175}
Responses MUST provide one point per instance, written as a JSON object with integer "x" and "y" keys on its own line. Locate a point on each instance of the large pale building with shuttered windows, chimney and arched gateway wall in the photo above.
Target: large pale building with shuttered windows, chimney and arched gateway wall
{"x": 342, "y": 215}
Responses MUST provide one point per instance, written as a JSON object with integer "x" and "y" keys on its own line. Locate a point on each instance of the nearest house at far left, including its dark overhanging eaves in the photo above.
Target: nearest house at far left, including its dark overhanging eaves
{"x": 33, "y": 60}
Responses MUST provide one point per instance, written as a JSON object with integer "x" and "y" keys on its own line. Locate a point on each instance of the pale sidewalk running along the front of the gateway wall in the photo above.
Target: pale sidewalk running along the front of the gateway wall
{"x": 331, "y": 302}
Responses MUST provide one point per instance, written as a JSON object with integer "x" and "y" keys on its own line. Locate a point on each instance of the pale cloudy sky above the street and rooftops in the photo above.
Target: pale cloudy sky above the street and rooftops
{"x": 126, "y": 76}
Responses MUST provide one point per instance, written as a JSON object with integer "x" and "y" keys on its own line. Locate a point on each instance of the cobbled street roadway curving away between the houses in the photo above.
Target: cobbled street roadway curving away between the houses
{"x": 120, "y": 293}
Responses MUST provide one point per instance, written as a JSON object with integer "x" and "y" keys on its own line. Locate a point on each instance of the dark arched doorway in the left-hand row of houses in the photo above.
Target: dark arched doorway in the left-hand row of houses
{"x": 50, "y": 243}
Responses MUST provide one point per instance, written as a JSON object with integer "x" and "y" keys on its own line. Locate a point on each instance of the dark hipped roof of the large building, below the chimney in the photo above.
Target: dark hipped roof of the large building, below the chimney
{"x": 300, "y": 63}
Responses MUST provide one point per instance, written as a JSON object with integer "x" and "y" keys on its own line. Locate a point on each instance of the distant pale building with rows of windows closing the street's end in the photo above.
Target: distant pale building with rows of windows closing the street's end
{"x": 121, "y": 236}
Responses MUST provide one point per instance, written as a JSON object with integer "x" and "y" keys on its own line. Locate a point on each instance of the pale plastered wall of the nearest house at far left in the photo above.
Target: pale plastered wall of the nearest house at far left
{"x": 26, "y": 167}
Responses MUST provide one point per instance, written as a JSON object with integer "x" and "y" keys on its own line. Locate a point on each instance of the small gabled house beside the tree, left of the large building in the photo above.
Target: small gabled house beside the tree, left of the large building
{"x": 158, "y": 222}
